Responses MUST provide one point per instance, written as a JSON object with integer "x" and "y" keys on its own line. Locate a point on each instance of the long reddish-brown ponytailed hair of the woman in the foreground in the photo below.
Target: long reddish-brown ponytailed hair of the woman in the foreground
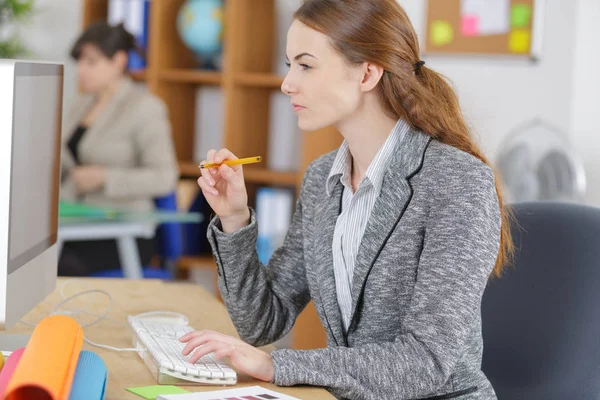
{"x": 379, "y": 31}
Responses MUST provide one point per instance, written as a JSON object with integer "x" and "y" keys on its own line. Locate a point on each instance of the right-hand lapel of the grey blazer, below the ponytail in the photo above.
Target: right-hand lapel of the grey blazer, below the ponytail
{"x": 389, "y": 207}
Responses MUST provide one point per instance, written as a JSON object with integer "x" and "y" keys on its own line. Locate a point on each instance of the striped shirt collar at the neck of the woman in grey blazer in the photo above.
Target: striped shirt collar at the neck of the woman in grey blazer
{"x": 342, "y": 164}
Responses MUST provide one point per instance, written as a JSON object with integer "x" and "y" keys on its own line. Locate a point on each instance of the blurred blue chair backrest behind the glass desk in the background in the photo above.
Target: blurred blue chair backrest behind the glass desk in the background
{"x": 169, "y": 235}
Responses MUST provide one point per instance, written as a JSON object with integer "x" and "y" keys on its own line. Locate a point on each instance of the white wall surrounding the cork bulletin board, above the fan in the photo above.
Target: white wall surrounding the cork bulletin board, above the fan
{"x": 499, "y": 94}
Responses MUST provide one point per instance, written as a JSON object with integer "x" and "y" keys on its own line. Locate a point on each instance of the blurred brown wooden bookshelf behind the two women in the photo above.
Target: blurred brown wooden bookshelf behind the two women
{"x": 247, "y": 82}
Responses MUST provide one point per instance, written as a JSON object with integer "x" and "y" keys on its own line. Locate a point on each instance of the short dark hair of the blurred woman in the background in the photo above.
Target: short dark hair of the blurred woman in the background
{"x": 107, "y": 38}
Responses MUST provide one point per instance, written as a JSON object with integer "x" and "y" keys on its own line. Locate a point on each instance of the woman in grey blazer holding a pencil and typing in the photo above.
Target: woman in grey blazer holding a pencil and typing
{"x": 394, "y": 236}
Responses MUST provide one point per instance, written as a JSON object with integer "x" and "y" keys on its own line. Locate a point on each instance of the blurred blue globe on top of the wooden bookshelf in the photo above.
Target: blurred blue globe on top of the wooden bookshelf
{"x": 200, "y": 25}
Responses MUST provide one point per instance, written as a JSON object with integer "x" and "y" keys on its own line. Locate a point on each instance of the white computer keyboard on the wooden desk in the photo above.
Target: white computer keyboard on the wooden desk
{"x": 161, "y": 349}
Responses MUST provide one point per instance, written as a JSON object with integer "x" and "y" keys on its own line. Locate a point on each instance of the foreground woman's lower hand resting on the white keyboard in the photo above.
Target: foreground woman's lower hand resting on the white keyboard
{"x": 244, "y": 358}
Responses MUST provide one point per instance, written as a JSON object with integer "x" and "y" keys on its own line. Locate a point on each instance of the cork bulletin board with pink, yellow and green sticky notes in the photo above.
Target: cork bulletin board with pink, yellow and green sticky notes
{"x": 494, "y": 27}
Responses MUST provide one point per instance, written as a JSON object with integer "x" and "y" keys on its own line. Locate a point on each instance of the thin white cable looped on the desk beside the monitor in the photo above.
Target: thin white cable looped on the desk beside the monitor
{"x": 76, "y": 311}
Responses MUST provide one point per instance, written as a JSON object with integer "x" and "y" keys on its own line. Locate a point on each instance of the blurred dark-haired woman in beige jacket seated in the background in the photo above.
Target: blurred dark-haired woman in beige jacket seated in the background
{"x": 117, "y": 145}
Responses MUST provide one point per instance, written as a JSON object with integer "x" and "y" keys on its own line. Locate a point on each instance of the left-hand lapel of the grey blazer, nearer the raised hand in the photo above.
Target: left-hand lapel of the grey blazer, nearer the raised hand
{"x": 326, "y": 214}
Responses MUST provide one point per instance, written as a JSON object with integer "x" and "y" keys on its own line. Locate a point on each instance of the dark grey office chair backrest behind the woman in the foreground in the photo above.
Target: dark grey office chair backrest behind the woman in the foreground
{"x": 541, "y": 320}
